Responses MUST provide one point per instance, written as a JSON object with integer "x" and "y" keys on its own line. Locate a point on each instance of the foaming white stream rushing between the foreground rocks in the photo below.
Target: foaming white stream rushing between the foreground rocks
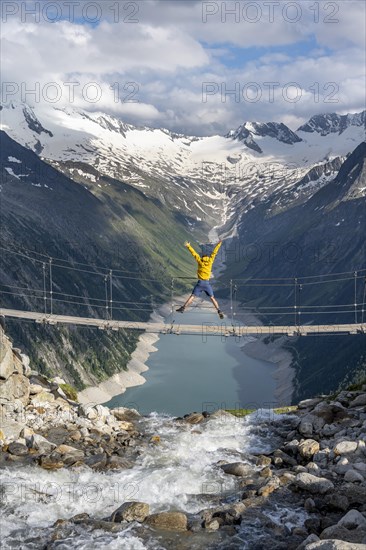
{"x": 179, "y": 473}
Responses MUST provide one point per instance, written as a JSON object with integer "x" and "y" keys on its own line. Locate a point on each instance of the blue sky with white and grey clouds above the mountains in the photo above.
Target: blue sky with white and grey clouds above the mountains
{"x": 193, "y": 66}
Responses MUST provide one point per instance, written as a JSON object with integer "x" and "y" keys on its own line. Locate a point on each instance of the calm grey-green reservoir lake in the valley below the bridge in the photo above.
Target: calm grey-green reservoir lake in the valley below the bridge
{"x": 199, "y": 372}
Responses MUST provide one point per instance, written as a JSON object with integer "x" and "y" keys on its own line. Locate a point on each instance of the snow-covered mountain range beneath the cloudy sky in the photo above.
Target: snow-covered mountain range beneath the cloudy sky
{"x": 202, "y": 177}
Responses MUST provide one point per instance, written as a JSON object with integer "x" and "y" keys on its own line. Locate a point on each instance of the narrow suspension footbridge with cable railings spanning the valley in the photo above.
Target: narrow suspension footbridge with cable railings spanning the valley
{"x": 46, "y": 302}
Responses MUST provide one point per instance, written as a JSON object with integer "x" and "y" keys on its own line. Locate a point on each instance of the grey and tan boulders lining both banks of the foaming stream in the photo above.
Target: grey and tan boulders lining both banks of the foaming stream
{"x": 318, "y": 465}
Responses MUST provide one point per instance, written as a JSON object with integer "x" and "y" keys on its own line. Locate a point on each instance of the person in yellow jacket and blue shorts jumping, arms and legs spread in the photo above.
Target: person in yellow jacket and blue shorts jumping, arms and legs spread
{"x": 204, "y": 273}
